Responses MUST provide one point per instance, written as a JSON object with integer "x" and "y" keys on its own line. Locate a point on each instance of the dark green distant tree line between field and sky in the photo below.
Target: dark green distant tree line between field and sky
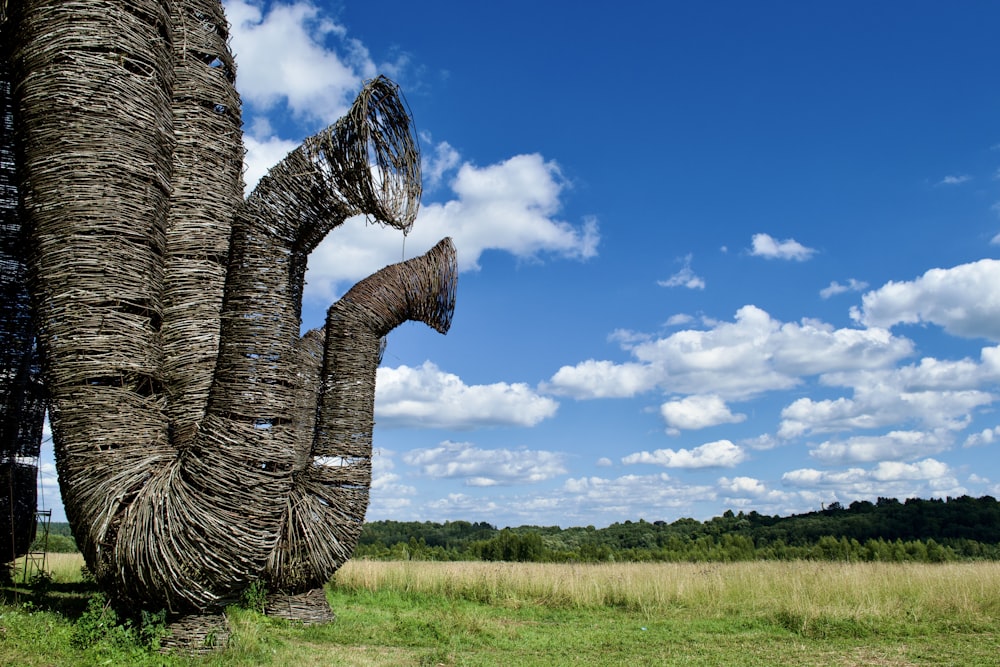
{"x": 888, "y": 530}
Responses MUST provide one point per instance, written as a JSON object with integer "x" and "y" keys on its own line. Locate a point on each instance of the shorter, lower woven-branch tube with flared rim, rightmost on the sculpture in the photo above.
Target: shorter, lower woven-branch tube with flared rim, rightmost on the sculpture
{"x": 325, "y": 513}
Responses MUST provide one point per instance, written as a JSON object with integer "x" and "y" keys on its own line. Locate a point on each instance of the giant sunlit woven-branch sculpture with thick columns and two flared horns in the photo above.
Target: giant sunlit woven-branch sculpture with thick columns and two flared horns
{"x": 202, "y": 443}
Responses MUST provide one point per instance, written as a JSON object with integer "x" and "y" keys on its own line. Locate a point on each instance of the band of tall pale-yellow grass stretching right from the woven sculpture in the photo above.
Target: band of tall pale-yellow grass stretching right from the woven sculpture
{"x": 793, "y": 593}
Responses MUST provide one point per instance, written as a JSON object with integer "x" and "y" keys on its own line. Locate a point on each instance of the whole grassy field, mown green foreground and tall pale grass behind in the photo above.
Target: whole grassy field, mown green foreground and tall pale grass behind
{"x": 471, "y": 613}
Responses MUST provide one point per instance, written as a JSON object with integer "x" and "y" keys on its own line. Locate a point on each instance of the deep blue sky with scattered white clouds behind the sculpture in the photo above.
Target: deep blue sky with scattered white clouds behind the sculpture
{"x": 714, "y": 256}
